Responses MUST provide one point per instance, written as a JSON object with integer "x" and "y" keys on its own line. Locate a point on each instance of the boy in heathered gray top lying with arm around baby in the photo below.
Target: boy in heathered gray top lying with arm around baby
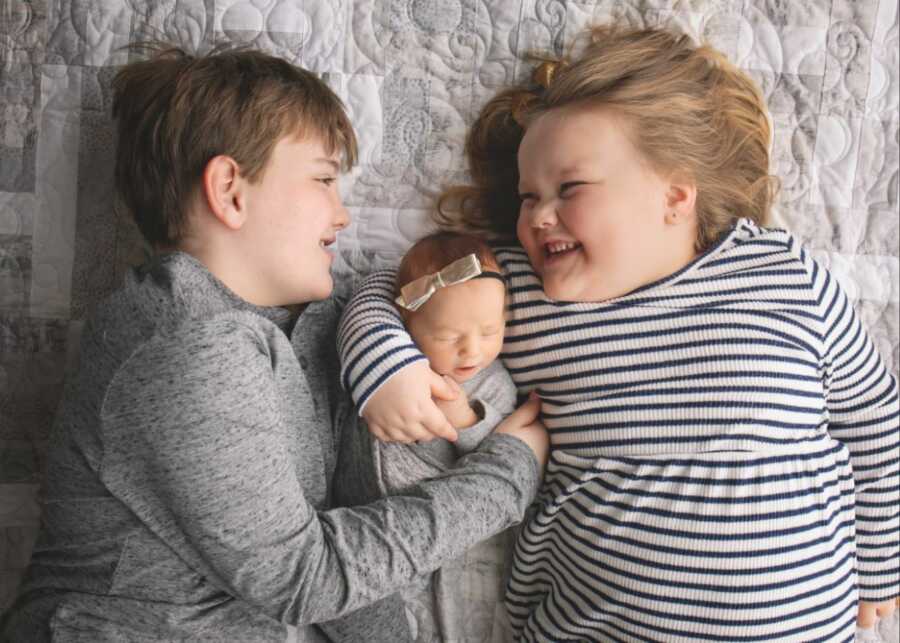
{"x": 188, "y": 488}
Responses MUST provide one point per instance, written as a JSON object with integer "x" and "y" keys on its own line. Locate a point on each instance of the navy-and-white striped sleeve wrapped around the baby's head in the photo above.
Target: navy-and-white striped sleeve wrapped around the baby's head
{"x": 372, "y": 342}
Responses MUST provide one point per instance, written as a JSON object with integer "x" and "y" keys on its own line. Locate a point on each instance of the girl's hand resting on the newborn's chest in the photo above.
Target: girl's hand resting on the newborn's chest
{"x": 403, "y": 410}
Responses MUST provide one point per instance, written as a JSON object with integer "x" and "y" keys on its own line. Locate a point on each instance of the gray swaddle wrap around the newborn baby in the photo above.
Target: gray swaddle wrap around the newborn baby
{"x": 462, "y": 601}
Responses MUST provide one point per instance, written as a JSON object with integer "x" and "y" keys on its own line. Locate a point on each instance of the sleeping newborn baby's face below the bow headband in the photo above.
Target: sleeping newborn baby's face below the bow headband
{"x": 460, "y": 329}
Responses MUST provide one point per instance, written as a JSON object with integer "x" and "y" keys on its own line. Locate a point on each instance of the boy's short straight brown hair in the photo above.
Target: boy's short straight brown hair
{"x": 175, "y": 111}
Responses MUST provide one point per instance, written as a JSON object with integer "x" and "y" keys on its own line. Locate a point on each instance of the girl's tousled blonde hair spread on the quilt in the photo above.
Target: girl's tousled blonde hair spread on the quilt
{"x": 689, "y": 110}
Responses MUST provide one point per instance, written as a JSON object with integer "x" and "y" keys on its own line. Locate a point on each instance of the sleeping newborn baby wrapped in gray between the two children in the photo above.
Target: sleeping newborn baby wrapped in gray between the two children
{"x": 459, "y": 328}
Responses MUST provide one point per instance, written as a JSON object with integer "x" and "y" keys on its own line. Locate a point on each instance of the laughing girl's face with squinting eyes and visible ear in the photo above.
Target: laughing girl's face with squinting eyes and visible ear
{"x": 595, "y": 219}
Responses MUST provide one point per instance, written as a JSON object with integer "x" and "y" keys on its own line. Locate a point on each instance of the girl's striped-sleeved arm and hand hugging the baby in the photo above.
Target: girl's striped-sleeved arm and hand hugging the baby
{"x": 386, "y": 374}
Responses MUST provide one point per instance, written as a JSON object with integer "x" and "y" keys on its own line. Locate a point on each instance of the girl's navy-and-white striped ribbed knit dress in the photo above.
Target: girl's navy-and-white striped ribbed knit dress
{"x": 724, "y": 460}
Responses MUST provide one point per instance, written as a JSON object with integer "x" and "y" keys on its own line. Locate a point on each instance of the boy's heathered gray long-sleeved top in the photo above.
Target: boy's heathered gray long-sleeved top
{"x": 188, "y": 479}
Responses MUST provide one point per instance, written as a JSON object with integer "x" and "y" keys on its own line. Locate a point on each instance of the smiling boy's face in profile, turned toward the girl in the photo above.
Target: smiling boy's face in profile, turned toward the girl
{"x": 294, "y": 213}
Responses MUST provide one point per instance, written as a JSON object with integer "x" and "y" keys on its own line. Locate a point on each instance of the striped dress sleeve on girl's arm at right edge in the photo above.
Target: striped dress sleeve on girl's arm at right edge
{"x": 864, "y": 414}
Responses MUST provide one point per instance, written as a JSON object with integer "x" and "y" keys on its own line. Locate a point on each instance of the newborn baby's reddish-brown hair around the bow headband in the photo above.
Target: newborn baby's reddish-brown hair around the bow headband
{"x": 434, "y": 252}
